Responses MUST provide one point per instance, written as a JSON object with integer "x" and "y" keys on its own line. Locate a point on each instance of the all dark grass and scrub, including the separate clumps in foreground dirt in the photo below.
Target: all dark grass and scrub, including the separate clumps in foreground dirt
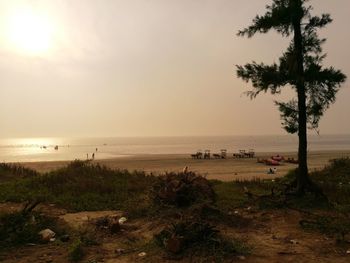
{"x": 174, "y": 197}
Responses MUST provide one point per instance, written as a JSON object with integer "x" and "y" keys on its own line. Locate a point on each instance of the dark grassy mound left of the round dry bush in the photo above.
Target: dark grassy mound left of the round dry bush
{"x": 82, "y": 186}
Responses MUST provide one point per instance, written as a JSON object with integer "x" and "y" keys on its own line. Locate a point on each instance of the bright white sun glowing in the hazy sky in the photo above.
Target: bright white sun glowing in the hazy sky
{"x": 29, "y": 32}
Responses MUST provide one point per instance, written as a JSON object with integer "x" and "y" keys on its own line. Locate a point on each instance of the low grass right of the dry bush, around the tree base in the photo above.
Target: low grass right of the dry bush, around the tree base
{"x": 334, "y": 180}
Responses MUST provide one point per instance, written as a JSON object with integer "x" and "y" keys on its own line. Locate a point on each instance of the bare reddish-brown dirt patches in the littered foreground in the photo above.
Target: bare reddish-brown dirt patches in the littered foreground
{"x": 275, "y": 236}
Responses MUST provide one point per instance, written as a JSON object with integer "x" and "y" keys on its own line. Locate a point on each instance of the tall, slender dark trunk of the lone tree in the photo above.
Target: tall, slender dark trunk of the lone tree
{"x": 303, "y": 180}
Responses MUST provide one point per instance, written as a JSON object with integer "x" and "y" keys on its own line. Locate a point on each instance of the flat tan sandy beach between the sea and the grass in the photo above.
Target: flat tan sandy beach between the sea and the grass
{"x": 221, "y": 169}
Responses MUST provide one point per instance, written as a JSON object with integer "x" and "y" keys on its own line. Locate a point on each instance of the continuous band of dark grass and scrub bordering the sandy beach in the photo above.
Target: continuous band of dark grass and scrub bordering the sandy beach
{"x": 84, "y": 186}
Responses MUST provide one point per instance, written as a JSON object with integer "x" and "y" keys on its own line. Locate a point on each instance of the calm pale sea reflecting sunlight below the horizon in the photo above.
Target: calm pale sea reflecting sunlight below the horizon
{"x": 43, "y": 149}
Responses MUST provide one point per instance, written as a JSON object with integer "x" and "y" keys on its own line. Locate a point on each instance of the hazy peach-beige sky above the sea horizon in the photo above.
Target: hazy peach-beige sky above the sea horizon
{"x": 146, "y": 68}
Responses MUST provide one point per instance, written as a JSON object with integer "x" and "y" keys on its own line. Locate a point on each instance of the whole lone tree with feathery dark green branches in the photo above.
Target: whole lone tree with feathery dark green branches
{"x": 300, "y": 68}
